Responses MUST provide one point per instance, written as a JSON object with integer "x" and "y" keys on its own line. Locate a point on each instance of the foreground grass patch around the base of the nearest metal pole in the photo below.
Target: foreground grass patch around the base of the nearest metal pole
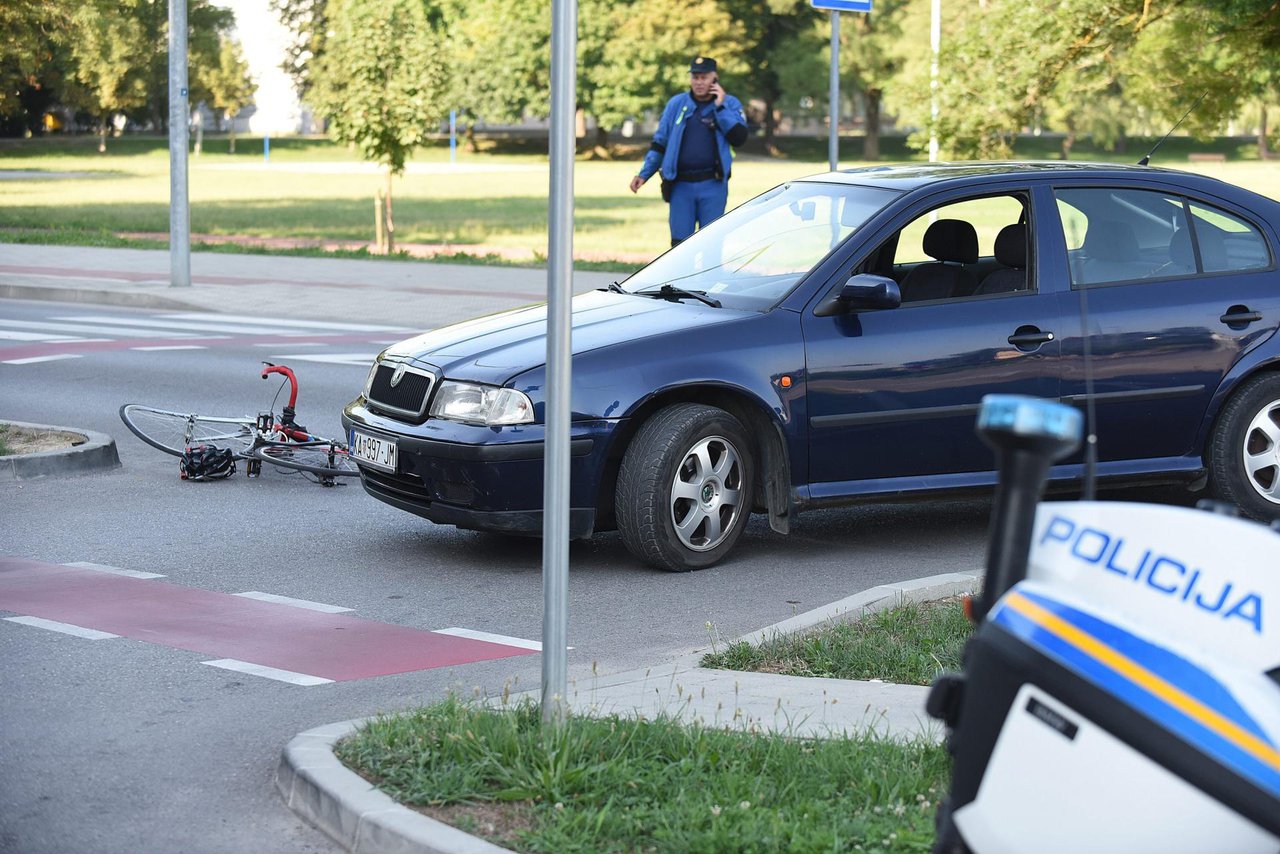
{"x": 627, "y": 786}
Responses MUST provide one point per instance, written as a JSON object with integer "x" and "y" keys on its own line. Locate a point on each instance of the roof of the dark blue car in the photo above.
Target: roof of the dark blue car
{"x": 912, "y": 176}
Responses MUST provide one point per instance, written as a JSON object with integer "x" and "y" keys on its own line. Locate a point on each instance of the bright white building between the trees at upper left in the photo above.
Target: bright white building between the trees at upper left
{"x": 276, "y": 109}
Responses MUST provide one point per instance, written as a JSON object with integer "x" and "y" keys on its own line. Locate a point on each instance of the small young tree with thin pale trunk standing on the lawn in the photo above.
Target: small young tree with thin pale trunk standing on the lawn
{"x": 382, "y": 81}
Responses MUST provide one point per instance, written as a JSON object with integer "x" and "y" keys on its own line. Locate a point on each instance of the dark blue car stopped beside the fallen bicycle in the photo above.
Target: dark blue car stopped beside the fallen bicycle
{"x": 830, "y": 341}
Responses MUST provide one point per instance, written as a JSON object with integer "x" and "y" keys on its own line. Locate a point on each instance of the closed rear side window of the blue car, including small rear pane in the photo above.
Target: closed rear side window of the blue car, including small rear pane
{"x": 1135, "y": 235}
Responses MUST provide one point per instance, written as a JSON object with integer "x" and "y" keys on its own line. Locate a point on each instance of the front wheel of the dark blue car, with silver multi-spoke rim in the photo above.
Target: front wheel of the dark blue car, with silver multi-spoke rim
{"x": 685, "y": 490}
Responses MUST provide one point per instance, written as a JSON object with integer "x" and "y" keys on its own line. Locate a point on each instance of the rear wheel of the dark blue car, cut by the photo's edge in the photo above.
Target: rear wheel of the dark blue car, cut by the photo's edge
{"x": 1245, "y": 454}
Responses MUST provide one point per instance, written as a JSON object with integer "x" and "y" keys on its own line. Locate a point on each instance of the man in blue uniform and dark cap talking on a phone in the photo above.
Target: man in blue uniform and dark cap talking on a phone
{"x": 692, "y": 150}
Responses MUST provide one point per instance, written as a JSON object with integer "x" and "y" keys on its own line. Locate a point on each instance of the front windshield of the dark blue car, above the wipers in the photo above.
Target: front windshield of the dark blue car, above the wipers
{"x": 757, "y": 253}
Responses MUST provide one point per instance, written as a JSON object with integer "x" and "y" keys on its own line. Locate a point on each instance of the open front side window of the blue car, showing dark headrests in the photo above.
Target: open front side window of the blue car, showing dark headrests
{"x": 964, "y": 249}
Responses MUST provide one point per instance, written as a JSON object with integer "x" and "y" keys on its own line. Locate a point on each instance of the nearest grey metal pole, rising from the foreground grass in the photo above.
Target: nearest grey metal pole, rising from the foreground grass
{"x": 560, "y": 290}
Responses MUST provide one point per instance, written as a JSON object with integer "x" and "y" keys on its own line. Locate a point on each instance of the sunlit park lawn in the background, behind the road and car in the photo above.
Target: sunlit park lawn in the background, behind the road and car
{"x": 493, "y": 202}
